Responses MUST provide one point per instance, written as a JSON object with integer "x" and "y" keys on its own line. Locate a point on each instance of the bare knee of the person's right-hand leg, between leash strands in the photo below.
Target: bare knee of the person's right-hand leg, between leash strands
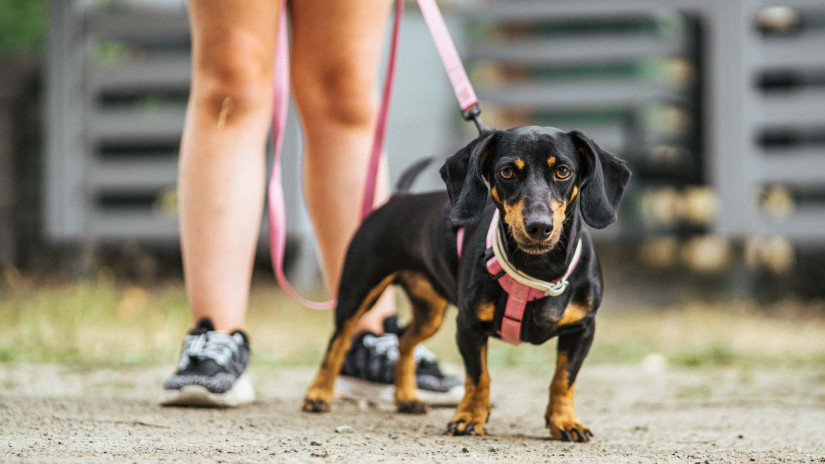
{"x": 337, "y": 93}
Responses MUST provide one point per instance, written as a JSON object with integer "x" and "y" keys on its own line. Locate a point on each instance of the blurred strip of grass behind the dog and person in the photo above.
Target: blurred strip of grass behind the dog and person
{"x": 102, "y": 321}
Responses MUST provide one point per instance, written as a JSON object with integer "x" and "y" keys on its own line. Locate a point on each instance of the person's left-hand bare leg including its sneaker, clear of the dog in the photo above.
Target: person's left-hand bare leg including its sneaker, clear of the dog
{"x": 221, "y": 191}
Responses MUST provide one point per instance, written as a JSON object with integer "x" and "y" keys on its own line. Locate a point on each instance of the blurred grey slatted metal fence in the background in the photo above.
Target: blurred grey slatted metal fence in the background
{"x": 718, "y": 105}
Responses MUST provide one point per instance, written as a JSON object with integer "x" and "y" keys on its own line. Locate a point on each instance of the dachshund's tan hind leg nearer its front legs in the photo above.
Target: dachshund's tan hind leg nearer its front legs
{"x": 428, "y": 309}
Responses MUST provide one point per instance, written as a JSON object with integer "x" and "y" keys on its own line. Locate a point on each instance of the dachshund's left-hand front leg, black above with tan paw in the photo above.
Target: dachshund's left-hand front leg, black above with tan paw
{"x": 473, "y": 411}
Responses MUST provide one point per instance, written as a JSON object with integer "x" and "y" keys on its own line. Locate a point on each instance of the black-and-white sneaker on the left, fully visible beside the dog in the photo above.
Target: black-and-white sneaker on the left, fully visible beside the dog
{"x": 211, "y": 371}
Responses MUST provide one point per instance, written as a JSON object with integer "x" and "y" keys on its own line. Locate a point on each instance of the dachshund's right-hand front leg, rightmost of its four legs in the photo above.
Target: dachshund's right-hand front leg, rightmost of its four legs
{"x": 561, "y": 416}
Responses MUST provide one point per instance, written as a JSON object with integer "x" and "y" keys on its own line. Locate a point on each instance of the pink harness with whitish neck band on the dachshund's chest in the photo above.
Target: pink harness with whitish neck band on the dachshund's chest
{"x": 520, "y": 287}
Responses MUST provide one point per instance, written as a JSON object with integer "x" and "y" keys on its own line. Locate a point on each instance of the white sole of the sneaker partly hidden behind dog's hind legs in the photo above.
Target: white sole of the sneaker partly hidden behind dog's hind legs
{"x": 355, "y": 389}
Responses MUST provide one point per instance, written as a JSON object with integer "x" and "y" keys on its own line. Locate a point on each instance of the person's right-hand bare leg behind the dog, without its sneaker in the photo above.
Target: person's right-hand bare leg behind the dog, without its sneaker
{"x": 335, "y": 58}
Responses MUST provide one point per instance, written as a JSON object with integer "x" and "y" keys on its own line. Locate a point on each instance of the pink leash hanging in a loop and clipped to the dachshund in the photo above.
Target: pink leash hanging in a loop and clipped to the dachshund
{"x": 461, "y": 86}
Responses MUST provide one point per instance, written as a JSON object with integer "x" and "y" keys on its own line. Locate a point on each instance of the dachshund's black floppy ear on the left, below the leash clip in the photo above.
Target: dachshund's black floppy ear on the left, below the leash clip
{"x": 462, "y": 173}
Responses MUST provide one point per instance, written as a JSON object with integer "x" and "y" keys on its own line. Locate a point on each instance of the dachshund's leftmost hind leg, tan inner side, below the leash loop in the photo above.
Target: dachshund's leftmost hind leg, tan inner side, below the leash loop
{"x": 354, "y": 301}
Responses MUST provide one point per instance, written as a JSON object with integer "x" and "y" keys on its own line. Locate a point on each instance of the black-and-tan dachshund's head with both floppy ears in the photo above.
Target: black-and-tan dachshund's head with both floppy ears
{"x": 535, "y": 175}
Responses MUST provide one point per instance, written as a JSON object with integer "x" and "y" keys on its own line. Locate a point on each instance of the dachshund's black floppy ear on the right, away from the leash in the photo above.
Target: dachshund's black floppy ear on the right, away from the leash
{"x": 603, "y": 183}
